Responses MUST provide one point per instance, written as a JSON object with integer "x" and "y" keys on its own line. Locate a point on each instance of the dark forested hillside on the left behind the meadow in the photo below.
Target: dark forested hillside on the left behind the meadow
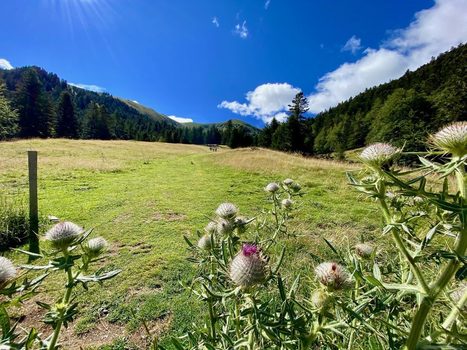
{"x": 35, "y": 103}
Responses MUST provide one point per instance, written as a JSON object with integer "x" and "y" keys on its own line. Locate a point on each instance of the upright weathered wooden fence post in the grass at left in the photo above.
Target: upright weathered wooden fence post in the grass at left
{"x": 33, "y": 204}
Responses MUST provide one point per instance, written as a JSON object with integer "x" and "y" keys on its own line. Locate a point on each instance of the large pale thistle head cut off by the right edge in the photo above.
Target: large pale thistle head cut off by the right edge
{"x": 452, "y": 139}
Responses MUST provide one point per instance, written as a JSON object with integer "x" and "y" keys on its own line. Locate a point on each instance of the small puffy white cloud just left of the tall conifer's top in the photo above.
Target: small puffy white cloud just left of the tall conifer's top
{"x": 265, "y": 102}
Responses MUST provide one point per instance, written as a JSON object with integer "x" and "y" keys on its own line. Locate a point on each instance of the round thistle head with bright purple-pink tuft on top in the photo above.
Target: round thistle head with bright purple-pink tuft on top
{"x": 248, "y": 267}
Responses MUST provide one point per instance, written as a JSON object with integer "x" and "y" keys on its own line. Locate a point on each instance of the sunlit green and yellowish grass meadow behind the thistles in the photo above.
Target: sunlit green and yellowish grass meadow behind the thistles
{"x": 143, "y": 197}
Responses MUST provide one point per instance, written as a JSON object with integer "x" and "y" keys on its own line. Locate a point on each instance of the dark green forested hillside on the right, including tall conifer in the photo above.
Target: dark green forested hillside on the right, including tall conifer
{"x": 402, "y": 111}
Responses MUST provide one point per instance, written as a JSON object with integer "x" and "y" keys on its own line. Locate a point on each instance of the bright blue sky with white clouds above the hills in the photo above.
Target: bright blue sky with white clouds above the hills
{"x": 211, "y": 60}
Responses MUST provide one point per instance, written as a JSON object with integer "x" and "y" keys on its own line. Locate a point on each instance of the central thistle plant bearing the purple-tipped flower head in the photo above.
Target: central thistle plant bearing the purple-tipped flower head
{"x": 247, "y": 303}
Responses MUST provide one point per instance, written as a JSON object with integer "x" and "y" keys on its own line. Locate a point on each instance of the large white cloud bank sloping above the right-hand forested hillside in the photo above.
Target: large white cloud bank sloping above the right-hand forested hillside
{"x": 433, "y": 31}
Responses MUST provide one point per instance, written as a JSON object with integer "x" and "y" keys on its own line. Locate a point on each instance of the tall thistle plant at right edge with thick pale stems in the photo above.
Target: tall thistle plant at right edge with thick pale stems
{"x": 427, "y": 222}
